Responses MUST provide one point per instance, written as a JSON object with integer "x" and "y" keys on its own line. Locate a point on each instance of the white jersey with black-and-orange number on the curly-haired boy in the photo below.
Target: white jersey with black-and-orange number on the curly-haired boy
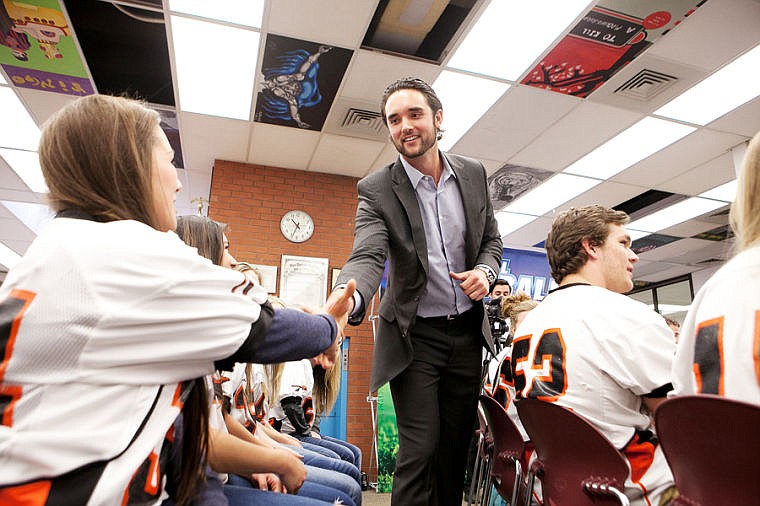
{"x": 598, "y": 352}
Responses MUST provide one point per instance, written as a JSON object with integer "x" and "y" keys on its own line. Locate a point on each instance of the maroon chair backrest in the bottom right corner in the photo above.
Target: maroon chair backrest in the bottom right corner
{"x": 712, "y": 445}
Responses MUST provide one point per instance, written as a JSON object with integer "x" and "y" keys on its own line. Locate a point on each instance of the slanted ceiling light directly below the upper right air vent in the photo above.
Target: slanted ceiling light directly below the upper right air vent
{"x": 643, "y": 139}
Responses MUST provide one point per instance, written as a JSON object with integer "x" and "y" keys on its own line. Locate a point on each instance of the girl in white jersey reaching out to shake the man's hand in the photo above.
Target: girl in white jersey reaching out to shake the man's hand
{"x": 110, "y": 318}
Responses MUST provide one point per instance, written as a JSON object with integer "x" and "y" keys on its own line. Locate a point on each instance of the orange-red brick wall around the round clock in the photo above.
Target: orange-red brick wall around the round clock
{"x": 251, "y": 199}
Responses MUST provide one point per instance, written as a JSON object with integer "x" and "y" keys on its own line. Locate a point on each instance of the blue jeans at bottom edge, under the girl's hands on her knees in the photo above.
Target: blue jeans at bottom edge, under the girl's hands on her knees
{"x": 241, "y": 492}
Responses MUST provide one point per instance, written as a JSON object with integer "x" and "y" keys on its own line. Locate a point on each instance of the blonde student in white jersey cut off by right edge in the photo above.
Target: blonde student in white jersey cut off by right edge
{"x": 718, "y": 352}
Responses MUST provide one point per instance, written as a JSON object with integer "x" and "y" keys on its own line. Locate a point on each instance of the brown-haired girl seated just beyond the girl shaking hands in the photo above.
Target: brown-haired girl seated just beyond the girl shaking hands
{"x": 210, "y": 240}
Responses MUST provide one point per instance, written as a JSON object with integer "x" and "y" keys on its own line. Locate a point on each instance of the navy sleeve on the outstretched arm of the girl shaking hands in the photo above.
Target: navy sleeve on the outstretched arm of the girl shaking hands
{"x": 283, "y": 335}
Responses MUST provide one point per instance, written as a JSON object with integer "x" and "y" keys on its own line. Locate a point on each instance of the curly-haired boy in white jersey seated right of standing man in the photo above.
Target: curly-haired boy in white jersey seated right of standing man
{"x": 591, "y": 349}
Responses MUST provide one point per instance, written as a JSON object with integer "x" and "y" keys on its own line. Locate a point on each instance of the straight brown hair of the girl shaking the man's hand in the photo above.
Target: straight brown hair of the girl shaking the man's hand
{"x": 96, "y": 155}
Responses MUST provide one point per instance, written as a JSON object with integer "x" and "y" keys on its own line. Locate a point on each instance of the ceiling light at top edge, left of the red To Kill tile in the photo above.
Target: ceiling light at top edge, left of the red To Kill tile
{"x": 509, "y": 36}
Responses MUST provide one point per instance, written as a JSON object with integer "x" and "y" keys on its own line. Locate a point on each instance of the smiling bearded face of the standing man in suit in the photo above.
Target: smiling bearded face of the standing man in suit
{"x": 412, "y": 124}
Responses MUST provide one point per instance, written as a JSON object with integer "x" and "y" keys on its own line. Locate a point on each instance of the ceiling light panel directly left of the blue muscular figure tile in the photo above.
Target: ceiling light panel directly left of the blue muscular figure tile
{"x": 223, "y": 84}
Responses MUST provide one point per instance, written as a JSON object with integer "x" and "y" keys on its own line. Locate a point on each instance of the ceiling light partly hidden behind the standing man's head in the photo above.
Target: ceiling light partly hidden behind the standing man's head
{"x": 465, "y": 99}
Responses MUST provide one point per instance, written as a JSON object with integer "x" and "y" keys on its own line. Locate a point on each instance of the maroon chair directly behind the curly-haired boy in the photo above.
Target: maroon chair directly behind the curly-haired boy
{"x": 576, "y": 464}
